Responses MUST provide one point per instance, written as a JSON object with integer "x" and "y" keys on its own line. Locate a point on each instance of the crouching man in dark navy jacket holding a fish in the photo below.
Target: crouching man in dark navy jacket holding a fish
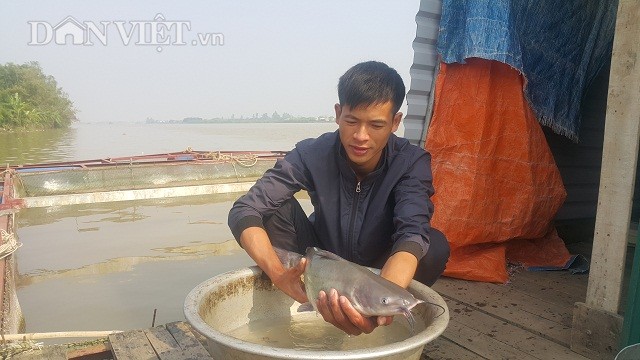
{"x": 371, "y": 196}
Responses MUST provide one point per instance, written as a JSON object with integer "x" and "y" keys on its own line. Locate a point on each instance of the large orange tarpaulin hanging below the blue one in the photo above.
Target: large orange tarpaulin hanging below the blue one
{"x": 497, "y": 185}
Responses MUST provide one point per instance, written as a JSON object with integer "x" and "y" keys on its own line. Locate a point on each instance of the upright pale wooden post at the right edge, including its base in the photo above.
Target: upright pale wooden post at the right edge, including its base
{"x": 596, "y": 323}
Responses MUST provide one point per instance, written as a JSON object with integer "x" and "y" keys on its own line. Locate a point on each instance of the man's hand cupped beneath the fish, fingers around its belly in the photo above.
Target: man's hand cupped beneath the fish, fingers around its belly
{"x": 338, "y": 311}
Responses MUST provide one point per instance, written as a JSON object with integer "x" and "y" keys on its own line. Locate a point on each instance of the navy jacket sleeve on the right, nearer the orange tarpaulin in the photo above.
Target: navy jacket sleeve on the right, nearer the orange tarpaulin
{"x": 413, "y": 208}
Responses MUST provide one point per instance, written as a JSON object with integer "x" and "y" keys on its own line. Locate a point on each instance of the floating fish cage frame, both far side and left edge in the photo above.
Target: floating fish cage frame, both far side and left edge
{"x": 154, "y": 176}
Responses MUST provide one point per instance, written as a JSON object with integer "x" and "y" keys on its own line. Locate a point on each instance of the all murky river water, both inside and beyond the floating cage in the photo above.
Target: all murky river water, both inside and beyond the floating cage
{"x": 109, "y": 266}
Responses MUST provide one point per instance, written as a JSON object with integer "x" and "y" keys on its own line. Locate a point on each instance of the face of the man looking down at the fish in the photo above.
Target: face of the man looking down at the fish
{"x": 364, "y": 132}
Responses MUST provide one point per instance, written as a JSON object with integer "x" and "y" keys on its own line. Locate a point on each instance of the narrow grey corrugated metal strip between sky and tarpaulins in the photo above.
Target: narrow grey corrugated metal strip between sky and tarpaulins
{"x": 425, "y": 60}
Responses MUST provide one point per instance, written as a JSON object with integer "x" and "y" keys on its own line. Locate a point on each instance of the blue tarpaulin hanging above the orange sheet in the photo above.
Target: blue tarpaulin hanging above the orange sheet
{"x": 559, "y": 46}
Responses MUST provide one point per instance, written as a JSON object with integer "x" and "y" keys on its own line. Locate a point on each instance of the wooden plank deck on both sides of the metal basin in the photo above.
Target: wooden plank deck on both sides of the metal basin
{"x": 528, "y": 318}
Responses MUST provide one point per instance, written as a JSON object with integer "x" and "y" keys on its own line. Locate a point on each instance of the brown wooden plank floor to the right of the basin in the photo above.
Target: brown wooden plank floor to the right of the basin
{"x": 528, "y": 318}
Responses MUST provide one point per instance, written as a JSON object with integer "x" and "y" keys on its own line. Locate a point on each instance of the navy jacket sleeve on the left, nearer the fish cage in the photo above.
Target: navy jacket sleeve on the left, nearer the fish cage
{"x": 277, "y": 185}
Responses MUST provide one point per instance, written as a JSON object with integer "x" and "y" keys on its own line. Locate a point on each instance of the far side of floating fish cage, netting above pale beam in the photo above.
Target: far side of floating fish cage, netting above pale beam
{"x": 140, "y": 177}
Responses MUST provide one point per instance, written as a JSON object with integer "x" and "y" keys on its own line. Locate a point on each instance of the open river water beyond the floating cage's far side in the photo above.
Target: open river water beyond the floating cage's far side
{"x": 101, "y": 140}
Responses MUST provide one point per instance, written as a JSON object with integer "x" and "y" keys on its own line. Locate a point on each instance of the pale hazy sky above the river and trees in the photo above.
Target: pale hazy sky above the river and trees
{"x": 148, "y": 59}
